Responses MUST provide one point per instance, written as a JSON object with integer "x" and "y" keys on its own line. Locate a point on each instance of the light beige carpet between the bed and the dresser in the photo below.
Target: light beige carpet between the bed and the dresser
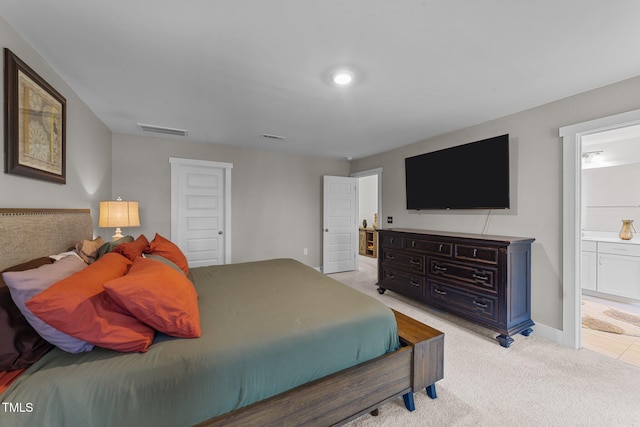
{"x": 535, "y": 382}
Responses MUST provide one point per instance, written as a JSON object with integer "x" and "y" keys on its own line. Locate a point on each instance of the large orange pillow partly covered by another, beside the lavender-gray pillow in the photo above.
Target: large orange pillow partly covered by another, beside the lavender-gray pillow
{"x": 79, "y": 306}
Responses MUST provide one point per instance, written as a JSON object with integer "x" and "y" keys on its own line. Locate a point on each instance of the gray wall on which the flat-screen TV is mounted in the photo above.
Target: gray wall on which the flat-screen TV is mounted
{"x": 536, "y": 184}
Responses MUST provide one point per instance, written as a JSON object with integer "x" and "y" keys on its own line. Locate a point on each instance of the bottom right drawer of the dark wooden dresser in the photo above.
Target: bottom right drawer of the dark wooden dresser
{"x": 469, "y": 304}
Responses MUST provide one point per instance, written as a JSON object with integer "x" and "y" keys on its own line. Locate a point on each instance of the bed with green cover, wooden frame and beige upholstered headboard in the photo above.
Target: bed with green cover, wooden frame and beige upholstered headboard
{"x": 280, "y": 344}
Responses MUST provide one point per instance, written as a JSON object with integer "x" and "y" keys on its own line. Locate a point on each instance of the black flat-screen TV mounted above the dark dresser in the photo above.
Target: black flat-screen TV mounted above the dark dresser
{"x": 469, "y": 176}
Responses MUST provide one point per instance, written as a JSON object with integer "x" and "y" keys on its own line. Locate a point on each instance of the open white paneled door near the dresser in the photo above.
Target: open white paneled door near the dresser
{"x": 340, "y": 229}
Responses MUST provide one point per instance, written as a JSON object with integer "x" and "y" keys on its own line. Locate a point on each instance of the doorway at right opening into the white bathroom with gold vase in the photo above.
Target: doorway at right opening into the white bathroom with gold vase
{"x": 610, "y": 266}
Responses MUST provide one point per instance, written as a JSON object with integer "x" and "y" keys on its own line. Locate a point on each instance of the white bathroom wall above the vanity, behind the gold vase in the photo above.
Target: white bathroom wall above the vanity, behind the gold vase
{"x": 610, "y": 195}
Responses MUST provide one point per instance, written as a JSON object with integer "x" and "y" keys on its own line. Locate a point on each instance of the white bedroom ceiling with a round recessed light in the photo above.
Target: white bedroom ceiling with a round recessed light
{"x": 229, "y": 71}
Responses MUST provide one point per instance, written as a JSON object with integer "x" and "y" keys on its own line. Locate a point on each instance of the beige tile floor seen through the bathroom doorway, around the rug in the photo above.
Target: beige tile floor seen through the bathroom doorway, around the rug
{"x": 622, "y": 347}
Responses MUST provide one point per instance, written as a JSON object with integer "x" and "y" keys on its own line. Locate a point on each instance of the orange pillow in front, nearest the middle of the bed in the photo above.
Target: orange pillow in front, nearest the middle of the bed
{"x": 159, "y": 296}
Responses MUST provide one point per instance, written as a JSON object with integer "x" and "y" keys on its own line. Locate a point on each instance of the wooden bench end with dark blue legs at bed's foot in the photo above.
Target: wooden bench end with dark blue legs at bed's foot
{"x": 428, "y": 355}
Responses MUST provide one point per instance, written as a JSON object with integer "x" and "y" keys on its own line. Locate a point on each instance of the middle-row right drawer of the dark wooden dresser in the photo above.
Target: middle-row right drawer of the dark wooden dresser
{"x": 474, "y": 276}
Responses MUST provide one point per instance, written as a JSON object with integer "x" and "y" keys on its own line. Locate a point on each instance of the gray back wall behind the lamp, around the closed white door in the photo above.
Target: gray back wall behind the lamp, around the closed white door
{"x": 276, "y": 198}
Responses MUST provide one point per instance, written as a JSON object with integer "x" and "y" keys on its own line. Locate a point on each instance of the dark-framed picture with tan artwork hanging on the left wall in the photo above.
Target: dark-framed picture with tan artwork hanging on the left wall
{"x": 35, "y": 116}
